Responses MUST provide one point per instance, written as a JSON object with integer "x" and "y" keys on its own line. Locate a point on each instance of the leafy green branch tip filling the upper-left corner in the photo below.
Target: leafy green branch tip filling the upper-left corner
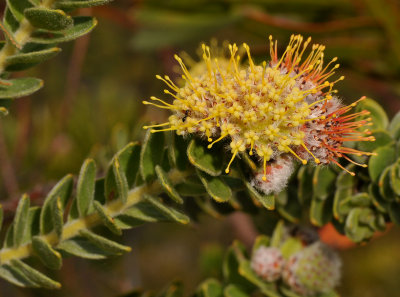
{"x": 29, "y": 28}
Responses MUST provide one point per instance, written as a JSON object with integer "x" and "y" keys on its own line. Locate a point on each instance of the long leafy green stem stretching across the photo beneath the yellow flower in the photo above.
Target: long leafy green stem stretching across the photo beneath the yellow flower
{"x": 357, "y": 205}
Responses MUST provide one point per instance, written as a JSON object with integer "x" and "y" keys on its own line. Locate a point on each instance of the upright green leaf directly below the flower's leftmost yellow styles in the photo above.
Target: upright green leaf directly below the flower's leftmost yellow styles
{"x": 151, "y": 154}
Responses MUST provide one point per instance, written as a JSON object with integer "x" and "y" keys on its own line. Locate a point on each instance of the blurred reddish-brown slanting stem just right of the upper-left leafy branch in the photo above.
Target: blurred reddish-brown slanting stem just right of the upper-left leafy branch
{"x": 74, "y": 71}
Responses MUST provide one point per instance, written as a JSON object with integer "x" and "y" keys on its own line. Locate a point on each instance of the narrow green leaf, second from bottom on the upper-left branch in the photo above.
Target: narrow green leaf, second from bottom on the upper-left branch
{"x": 22, "y": 61}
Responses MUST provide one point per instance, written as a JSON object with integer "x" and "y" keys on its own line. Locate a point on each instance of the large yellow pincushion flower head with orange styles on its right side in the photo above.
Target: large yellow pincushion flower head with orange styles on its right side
{"x": 283, "y": 107}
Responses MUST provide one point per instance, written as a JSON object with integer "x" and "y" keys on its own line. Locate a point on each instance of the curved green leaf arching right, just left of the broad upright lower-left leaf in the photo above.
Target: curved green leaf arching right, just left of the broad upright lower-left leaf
{"x": 63, "y": 190}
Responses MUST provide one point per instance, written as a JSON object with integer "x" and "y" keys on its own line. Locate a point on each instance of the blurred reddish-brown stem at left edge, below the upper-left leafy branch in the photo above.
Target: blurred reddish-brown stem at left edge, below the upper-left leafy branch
{"x": 6, "y": 167}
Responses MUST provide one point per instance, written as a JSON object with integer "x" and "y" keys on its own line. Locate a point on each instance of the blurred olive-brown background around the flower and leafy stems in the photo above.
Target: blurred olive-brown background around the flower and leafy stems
{"x": 91, "y": 106}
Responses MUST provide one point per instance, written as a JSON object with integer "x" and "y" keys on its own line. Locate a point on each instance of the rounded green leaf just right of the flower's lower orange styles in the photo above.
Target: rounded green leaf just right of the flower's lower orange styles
{"x": 384, "y": 157}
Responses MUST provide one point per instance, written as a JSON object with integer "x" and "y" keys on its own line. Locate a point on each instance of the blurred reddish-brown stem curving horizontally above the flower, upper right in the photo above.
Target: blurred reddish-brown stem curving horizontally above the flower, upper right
{"x": 285, "y": 23}
